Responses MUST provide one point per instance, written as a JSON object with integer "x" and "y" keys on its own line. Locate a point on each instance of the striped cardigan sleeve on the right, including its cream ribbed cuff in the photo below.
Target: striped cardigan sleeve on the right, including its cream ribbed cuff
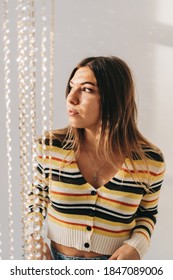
{"x": 147, "y": 213}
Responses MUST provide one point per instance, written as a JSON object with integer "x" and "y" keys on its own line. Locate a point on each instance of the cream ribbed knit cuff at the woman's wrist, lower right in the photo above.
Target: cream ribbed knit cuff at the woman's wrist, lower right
{"x": 139, "y": 242}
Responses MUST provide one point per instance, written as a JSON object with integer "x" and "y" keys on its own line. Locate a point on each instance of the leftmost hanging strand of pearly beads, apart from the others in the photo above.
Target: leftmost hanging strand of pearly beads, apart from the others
{"x": 8, "y": 121}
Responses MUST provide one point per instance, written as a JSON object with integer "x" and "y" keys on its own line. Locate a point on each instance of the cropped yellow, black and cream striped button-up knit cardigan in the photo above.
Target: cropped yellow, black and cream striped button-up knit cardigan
{"x": 99, "y": 220}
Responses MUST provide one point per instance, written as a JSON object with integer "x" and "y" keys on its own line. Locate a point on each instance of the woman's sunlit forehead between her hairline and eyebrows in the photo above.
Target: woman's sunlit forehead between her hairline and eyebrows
{"x": 84, "y": 74}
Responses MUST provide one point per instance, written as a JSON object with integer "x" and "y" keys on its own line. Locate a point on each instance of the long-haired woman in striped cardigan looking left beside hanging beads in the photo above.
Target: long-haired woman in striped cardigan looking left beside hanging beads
{"x": 100, "y": 178}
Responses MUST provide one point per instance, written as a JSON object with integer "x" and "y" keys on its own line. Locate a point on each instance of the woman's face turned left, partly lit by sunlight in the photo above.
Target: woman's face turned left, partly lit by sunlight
{"x": 83, "y": 100}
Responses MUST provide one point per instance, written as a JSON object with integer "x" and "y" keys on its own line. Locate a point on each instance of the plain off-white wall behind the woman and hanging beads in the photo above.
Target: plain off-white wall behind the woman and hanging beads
{"x": 138, "y": 31}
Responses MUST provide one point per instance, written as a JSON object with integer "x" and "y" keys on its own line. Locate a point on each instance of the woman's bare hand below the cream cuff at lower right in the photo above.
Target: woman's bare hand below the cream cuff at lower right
{"x": 125, "y": 252}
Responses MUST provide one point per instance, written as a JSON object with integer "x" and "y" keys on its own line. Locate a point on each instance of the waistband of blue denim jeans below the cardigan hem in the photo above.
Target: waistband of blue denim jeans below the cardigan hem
{"x": 58, "y": 256}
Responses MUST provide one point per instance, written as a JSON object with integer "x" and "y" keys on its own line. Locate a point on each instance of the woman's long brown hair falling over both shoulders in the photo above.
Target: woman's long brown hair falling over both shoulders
{"x": 119, "y": 131}
